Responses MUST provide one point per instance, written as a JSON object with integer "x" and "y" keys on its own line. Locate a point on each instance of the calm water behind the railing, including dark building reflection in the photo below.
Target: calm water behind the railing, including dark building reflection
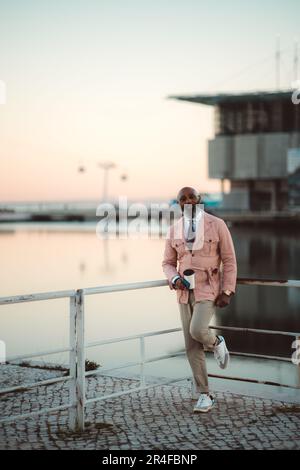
{"x": 48, "y": 257}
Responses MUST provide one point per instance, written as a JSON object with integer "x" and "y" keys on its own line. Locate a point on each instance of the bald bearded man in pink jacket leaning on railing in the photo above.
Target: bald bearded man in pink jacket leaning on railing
{"x": 201, "y": 242}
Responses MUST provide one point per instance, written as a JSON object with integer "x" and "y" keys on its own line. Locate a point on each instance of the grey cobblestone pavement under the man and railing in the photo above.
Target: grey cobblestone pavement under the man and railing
{"x": 159, "y": 418}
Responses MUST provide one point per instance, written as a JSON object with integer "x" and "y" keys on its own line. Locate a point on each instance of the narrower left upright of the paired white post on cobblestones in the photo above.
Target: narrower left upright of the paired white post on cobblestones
{"x": 72, "y": 363}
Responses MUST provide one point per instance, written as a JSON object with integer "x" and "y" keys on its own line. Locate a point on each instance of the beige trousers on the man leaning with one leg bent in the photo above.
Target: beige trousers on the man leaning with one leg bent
{"x": 195, "y": 318}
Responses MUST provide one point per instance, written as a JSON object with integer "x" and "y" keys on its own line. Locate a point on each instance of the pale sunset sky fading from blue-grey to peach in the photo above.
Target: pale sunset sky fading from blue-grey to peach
{"x": 87, "y": 81}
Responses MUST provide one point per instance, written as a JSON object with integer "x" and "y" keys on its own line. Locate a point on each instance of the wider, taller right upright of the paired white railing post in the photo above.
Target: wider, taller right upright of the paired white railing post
{"x": 80, "y": 360}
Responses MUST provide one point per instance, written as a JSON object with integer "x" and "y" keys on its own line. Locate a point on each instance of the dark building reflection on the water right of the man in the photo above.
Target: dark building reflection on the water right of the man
{"x": 264, "y": 254}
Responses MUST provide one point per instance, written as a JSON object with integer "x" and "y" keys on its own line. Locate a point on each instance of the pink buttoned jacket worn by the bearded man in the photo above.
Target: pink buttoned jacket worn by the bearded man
{"x": 214, "y": 263}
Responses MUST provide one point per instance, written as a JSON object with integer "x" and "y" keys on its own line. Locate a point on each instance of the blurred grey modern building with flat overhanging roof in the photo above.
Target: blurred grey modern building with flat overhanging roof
{"x": 254, "y": 135}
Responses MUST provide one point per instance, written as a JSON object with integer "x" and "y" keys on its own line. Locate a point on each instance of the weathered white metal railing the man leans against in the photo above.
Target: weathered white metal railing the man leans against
{"x": 77, "y": 374}
